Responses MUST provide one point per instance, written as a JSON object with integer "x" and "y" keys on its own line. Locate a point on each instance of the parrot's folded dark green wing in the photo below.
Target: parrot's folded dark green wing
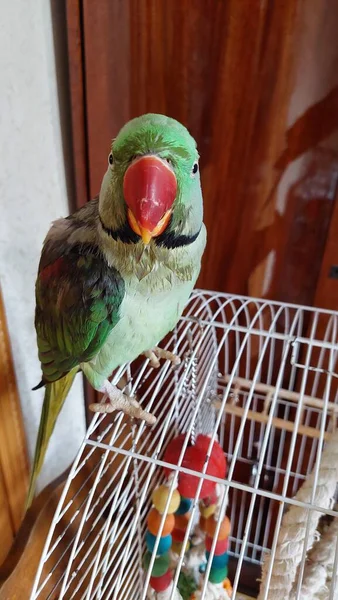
{"x": 78, "y": 297}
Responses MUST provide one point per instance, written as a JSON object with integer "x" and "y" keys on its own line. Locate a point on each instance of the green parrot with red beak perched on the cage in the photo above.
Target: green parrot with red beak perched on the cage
{"x": 114, "y": 276}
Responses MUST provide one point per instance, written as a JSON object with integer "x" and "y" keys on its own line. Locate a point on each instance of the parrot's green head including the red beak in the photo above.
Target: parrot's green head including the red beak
{"x": 151, "y": 191}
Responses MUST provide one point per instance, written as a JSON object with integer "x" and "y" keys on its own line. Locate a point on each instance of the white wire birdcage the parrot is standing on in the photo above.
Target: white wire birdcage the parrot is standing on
{"x": 258, "y": 376}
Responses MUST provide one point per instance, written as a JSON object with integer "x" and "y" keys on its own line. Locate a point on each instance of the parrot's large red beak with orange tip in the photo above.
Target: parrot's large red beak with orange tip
{"x": 149, "y": 188}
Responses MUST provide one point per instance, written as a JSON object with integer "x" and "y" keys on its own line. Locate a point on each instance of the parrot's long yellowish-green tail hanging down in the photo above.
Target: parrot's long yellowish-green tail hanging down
{"x": 55, "y": 395}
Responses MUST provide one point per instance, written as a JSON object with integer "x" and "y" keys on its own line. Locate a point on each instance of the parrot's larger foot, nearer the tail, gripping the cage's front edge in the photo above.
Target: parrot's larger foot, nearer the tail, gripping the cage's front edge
{"x": 120, "y": 401}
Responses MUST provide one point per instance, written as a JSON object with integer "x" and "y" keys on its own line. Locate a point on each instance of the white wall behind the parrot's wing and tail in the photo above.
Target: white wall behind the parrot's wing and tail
{"x": 33, "y": 193}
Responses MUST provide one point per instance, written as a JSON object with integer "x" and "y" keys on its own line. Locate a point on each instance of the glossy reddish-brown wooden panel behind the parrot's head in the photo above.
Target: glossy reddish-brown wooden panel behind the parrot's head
{"x": 258, "y": 89}
